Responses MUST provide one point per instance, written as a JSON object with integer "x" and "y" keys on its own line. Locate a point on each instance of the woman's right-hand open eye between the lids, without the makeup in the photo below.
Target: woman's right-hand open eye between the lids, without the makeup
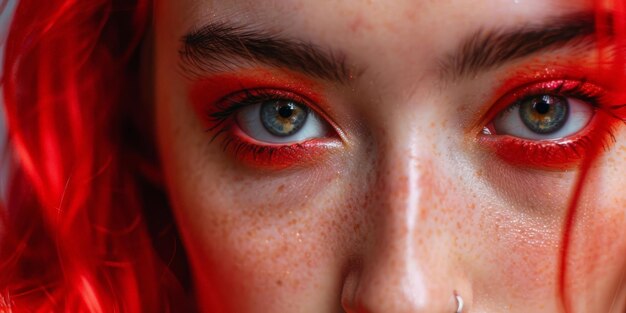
{"x": 544, "y": 117}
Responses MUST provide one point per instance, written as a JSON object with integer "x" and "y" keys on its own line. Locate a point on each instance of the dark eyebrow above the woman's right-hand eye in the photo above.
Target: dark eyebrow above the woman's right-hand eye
{"x": 485, "y": 50}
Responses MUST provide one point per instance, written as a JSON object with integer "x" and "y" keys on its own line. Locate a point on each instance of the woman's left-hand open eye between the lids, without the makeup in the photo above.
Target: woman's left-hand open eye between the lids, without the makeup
{"x": 280, "y": 121}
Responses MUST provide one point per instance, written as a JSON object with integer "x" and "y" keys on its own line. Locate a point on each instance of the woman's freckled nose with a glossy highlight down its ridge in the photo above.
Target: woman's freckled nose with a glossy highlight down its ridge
{"x": 409, "y": 263}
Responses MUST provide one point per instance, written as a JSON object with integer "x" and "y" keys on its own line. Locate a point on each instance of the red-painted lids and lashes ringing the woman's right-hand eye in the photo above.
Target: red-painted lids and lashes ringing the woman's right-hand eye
{"x": 557, "y": 154}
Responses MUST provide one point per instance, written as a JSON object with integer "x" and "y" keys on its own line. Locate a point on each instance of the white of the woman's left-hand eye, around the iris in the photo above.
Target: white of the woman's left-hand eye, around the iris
{"x": 249, "y": 119}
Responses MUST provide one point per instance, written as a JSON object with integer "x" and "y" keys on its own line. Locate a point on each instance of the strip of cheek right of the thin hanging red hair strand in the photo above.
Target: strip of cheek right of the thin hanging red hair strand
{"x": 598, "y": 251}
